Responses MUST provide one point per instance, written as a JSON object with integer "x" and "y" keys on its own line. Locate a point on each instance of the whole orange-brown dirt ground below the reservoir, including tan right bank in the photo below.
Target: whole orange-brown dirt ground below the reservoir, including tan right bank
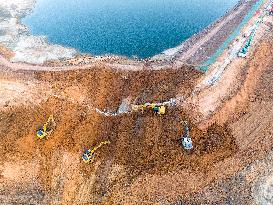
{"x": 144, "y": 164}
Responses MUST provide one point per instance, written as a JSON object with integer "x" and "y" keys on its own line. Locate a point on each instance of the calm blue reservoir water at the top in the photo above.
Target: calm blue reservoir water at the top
{"x": 140, "y": 28}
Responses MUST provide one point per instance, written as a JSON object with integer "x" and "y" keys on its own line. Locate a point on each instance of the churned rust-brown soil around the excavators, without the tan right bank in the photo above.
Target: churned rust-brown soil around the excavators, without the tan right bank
{"x": 140, "y": 143}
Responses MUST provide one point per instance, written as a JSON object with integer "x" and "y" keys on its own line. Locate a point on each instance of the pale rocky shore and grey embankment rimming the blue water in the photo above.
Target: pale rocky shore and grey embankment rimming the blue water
{"x": 37, "y": 50}
